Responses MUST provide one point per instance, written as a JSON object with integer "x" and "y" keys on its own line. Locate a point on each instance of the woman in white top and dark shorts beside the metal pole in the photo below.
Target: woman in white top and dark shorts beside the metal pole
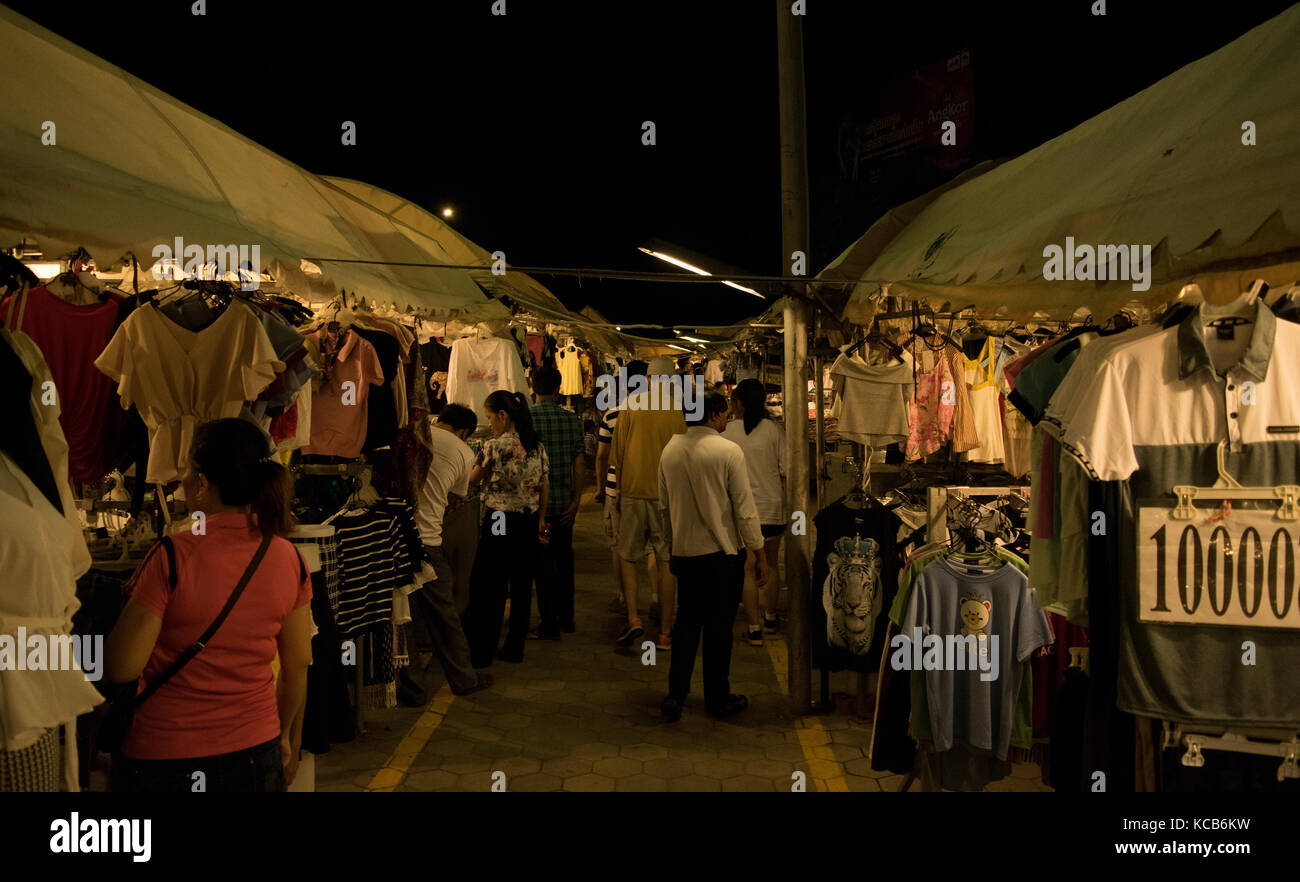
{"x": 764, "y": 444}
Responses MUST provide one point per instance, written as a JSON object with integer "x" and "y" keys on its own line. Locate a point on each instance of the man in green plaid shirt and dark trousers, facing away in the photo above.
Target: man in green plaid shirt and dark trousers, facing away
{"x": 562, "y": 435}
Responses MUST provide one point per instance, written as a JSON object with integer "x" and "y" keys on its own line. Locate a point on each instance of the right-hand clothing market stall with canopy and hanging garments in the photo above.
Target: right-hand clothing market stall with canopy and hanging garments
{"x": 1050, "y": 371}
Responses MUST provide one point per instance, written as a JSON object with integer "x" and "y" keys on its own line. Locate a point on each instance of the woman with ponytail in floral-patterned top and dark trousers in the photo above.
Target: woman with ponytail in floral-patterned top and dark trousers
{"x": 513, "y": 468}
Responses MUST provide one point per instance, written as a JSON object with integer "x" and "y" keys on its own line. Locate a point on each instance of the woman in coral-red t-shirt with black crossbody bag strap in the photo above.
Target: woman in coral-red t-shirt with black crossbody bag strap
{"x": 223, "y": 714}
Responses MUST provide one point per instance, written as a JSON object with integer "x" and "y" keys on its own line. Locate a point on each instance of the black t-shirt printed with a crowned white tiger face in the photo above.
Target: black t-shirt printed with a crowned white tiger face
{"x": 834, "y": 524}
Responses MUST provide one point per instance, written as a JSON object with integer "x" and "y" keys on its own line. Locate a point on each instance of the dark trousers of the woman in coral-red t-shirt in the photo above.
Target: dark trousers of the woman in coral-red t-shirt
{"x": 254, "y": 771}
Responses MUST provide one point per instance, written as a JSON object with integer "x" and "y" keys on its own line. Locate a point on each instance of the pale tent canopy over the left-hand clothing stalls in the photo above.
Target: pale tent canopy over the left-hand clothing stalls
{"x": 131, "y": 168}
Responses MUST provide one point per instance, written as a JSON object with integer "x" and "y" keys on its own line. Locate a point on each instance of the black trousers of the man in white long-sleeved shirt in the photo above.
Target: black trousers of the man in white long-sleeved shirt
{"x": 709, "y": 591}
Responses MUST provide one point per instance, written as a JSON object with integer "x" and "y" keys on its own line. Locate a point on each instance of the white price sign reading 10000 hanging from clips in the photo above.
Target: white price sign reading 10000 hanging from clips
{"x": 1237, "y": 572}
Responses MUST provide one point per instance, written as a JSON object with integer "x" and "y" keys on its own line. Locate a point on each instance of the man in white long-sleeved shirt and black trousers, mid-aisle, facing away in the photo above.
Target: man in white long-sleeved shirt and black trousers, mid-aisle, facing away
{"x": 705, "y": 495}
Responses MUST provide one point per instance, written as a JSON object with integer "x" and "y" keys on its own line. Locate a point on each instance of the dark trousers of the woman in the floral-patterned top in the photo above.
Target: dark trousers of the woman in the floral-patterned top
{"x": 504, "y": 565}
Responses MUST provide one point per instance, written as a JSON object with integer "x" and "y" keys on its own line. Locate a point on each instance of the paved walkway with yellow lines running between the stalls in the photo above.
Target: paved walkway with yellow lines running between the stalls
{"x": 582, "y": 715}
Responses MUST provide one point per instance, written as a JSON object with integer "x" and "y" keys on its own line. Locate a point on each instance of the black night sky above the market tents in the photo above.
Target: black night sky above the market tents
{"x": 530, "y": 124}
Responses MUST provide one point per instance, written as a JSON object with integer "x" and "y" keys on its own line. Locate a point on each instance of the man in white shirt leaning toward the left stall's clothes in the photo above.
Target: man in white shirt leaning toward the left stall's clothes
{"x": 434, "y": 607}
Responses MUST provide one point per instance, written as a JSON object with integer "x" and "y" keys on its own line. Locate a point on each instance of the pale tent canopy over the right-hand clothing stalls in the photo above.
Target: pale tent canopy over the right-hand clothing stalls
{"x": 1167, "y": 168}
